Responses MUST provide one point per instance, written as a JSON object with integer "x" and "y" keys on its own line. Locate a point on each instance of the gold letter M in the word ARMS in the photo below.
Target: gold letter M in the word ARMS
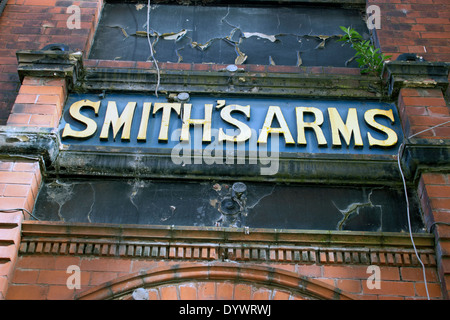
{"x": 351, "y": 127}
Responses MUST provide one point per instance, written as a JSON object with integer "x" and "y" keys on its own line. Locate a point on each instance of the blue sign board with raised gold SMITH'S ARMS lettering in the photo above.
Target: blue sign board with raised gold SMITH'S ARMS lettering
{"x": 229, "y": 123}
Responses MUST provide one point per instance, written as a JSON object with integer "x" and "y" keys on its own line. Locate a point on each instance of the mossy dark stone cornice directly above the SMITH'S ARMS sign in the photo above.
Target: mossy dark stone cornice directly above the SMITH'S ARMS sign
{"x": 304, "y": 84}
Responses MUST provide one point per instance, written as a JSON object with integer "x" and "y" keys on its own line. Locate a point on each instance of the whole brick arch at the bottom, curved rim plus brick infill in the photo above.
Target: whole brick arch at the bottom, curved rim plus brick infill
{"x": 216, "y": 281}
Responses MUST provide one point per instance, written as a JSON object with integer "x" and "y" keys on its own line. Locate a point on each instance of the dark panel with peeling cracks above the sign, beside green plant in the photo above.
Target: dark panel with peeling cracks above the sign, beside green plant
{"x": 296, "y": 35}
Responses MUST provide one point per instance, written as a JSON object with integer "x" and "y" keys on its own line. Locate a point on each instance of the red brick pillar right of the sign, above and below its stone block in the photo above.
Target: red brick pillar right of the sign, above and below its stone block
{"x": 422, "y": 112}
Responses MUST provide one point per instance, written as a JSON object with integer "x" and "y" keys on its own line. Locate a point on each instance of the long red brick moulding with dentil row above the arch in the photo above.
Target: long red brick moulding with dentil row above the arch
{"x": 225, "y": 244}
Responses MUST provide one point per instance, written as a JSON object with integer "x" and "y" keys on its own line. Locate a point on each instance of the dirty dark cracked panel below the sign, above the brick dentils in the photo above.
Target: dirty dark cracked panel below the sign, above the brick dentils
{"x": 225, "y": 204}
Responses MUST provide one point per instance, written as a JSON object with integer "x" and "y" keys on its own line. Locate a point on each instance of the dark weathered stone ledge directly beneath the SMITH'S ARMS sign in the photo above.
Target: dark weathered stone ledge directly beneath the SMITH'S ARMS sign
{"x": 300, "y": 167}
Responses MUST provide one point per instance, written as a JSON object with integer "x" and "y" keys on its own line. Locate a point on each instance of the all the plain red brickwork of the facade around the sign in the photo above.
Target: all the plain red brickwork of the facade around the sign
{"x": 407, "y": 26}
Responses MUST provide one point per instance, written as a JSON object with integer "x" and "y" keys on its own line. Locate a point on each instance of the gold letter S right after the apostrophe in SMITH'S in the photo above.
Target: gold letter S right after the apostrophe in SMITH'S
{"x": 245, "y": 131}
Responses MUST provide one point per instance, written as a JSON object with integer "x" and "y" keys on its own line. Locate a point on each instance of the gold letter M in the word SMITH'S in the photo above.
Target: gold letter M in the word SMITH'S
{"x": 112, "y": 119}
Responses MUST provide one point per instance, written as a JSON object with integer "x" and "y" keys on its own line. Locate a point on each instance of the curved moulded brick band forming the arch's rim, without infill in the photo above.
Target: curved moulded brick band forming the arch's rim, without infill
{"x": 255, "y": 275}
